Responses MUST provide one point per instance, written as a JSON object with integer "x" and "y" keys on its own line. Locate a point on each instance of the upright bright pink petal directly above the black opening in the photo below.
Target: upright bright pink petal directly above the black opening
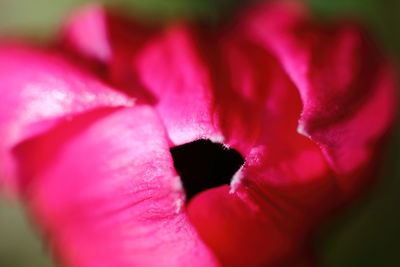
{"x": 171, "y": 69}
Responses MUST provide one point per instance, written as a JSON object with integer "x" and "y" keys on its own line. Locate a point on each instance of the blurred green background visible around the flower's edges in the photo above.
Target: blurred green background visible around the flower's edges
{"x": 366, "y": 235}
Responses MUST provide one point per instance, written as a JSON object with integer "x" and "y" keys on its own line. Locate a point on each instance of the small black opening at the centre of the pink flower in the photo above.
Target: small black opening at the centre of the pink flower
{"x": 203, "y": 164}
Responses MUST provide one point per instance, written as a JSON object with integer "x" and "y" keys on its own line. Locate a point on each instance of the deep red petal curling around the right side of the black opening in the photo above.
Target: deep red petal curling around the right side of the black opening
{"x": 285, "y": 187}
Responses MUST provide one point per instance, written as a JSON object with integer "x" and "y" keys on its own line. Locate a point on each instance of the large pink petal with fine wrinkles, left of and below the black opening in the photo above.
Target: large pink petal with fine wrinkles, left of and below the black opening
{"x": 109, "y": 195}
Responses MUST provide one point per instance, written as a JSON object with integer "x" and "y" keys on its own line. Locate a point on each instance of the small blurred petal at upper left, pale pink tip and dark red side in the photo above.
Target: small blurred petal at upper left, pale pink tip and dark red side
{"x": 113, "y": 42}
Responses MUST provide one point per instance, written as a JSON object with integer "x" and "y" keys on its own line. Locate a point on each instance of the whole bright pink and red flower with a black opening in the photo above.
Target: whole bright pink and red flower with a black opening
{"x": 97, "y": 132}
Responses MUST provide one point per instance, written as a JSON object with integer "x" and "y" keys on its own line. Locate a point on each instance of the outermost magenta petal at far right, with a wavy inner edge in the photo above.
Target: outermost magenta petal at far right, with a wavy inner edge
{"x": 346, "y": 86}
